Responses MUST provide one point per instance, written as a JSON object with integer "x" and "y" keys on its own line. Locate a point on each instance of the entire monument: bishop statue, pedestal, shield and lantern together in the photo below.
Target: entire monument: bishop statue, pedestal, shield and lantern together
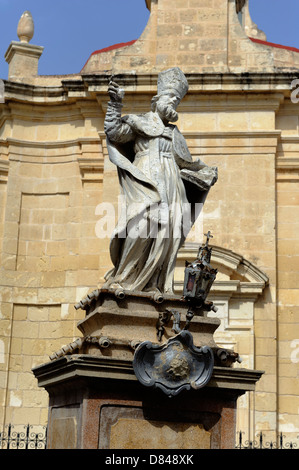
{"x": 141, "y": 343}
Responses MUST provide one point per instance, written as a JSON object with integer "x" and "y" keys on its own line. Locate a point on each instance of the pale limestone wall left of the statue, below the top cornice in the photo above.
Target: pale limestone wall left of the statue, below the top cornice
{"x": 50, "y": 253}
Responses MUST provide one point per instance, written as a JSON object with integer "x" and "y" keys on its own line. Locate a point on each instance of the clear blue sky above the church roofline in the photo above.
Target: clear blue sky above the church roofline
{"x": 70, "y": 30}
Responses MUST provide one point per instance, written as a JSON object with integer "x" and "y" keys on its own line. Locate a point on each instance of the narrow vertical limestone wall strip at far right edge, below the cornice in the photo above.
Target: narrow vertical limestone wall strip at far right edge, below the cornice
{"x": 287, "y": 181}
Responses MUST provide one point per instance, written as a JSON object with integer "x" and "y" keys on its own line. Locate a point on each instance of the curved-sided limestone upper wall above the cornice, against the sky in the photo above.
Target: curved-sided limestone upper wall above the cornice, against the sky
{"x": 200, "y": 36}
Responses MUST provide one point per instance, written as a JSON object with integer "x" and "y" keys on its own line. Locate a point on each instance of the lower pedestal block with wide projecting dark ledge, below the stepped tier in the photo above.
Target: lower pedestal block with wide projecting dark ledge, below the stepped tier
{"x": 97, "y": 403}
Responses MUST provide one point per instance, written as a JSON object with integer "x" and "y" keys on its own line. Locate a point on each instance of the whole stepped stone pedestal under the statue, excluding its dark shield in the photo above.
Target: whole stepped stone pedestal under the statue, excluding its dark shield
{"x": 96, "y": 401}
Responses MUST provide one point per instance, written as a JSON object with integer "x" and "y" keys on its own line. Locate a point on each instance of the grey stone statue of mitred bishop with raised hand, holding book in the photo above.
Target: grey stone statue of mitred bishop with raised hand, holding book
{"x": 160, "y": 183}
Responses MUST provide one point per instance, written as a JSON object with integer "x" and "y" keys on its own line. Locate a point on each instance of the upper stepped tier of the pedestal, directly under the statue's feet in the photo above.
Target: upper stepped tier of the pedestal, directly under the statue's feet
{"x": 116, "y": 323}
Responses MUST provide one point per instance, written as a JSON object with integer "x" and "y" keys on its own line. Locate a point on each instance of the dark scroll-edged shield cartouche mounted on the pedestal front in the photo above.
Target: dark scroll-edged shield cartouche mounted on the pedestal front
{"x": 174, "y": 366}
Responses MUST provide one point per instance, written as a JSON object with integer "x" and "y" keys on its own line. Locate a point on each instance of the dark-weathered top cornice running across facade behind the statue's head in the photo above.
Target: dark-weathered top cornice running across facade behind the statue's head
{"x": 89, "y": 84}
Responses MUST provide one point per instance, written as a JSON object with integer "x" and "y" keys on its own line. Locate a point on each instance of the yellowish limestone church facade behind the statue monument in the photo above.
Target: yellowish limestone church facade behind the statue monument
{"x": 59, "y": 196}
